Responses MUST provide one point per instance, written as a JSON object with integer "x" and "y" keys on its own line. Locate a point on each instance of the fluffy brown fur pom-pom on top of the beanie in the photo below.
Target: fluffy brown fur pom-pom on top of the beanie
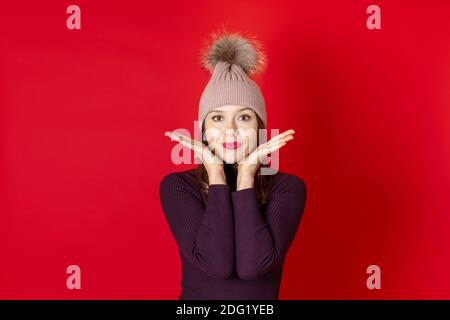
{"x": 234, "y": 48}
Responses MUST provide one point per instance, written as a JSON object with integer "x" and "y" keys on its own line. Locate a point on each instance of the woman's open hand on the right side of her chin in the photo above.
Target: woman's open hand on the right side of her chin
{"x": 250, "y": 164}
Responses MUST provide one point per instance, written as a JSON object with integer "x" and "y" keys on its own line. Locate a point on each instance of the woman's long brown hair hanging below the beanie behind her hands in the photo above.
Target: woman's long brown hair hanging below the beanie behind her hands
{"x": 262, "y": 183}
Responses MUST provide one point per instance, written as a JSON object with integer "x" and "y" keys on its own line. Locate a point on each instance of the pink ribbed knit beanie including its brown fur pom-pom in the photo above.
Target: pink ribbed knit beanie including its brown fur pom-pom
{"x": 231, "y": 59}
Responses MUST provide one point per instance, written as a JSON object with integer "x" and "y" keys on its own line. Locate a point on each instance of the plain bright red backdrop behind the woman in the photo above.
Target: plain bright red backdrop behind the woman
{"x": 83, "y": 112}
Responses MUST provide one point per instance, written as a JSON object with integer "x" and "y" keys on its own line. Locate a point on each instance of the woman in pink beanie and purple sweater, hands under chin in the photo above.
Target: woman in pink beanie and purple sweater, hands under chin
{"x": 233, "y": 225}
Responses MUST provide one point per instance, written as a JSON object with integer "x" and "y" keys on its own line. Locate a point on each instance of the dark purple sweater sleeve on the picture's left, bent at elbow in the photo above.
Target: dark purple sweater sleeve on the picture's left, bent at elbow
{"x": 203, "y": 233}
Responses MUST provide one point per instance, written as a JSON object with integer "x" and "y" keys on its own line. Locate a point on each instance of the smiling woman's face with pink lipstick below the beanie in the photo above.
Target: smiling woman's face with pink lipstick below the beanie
{"x": 226, "y": 130}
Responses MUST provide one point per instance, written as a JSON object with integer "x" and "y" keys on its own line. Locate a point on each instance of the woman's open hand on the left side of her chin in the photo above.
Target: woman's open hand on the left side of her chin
{"x": 212, "y": 163}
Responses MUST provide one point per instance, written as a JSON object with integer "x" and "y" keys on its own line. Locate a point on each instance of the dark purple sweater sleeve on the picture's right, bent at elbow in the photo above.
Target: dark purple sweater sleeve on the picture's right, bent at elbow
{"x": 262, "y": 240}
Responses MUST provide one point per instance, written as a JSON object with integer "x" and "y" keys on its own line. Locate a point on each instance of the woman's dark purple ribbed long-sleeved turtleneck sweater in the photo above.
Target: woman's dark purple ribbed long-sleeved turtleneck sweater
{"x": 229, "y": 247}
